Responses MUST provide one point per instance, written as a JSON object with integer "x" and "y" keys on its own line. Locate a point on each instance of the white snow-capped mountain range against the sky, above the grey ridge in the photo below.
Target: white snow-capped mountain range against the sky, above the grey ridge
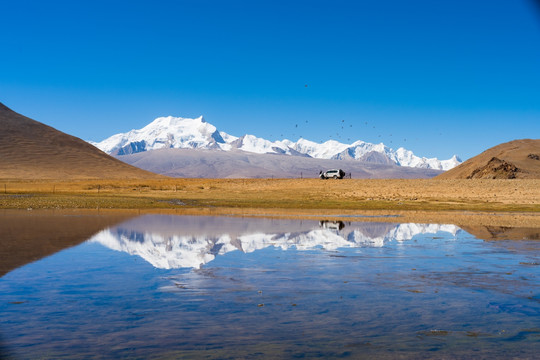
{"x": 184, "y": 133}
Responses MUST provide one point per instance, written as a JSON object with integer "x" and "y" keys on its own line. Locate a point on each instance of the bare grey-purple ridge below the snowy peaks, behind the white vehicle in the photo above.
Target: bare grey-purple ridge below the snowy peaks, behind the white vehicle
{"x": 201, "y": 163}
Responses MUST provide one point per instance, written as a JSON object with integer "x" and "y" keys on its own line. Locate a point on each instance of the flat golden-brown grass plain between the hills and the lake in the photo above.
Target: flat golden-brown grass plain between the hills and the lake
{"x": 449, "y": 199}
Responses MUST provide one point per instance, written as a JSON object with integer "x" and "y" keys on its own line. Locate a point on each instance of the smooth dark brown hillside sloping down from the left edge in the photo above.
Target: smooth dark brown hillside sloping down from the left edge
{"x": 32, "y": 150}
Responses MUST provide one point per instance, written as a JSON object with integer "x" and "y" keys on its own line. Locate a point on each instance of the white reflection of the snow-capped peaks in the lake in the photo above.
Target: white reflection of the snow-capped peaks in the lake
{"x": 181, "y": 249}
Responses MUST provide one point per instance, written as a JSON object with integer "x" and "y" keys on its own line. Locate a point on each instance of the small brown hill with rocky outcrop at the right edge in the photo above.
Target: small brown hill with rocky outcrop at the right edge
{"x": 518, "y": 159}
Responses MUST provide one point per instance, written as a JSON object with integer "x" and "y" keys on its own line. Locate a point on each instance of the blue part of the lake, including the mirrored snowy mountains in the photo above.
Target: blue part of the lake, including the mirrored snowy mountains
{"x": 161, "y": 286}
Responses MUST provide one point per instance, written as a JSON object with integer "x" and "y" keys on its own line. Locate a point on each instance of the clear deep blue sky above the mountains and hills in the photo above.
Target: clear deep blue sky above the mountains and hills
{"x": 439, "y": 77}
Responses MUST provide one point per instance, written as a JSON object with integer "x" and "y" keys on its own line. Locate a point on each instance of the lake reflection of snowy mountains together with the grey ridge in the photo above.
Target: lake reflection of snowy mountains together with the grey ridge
{"x": 183, "y": 241}
